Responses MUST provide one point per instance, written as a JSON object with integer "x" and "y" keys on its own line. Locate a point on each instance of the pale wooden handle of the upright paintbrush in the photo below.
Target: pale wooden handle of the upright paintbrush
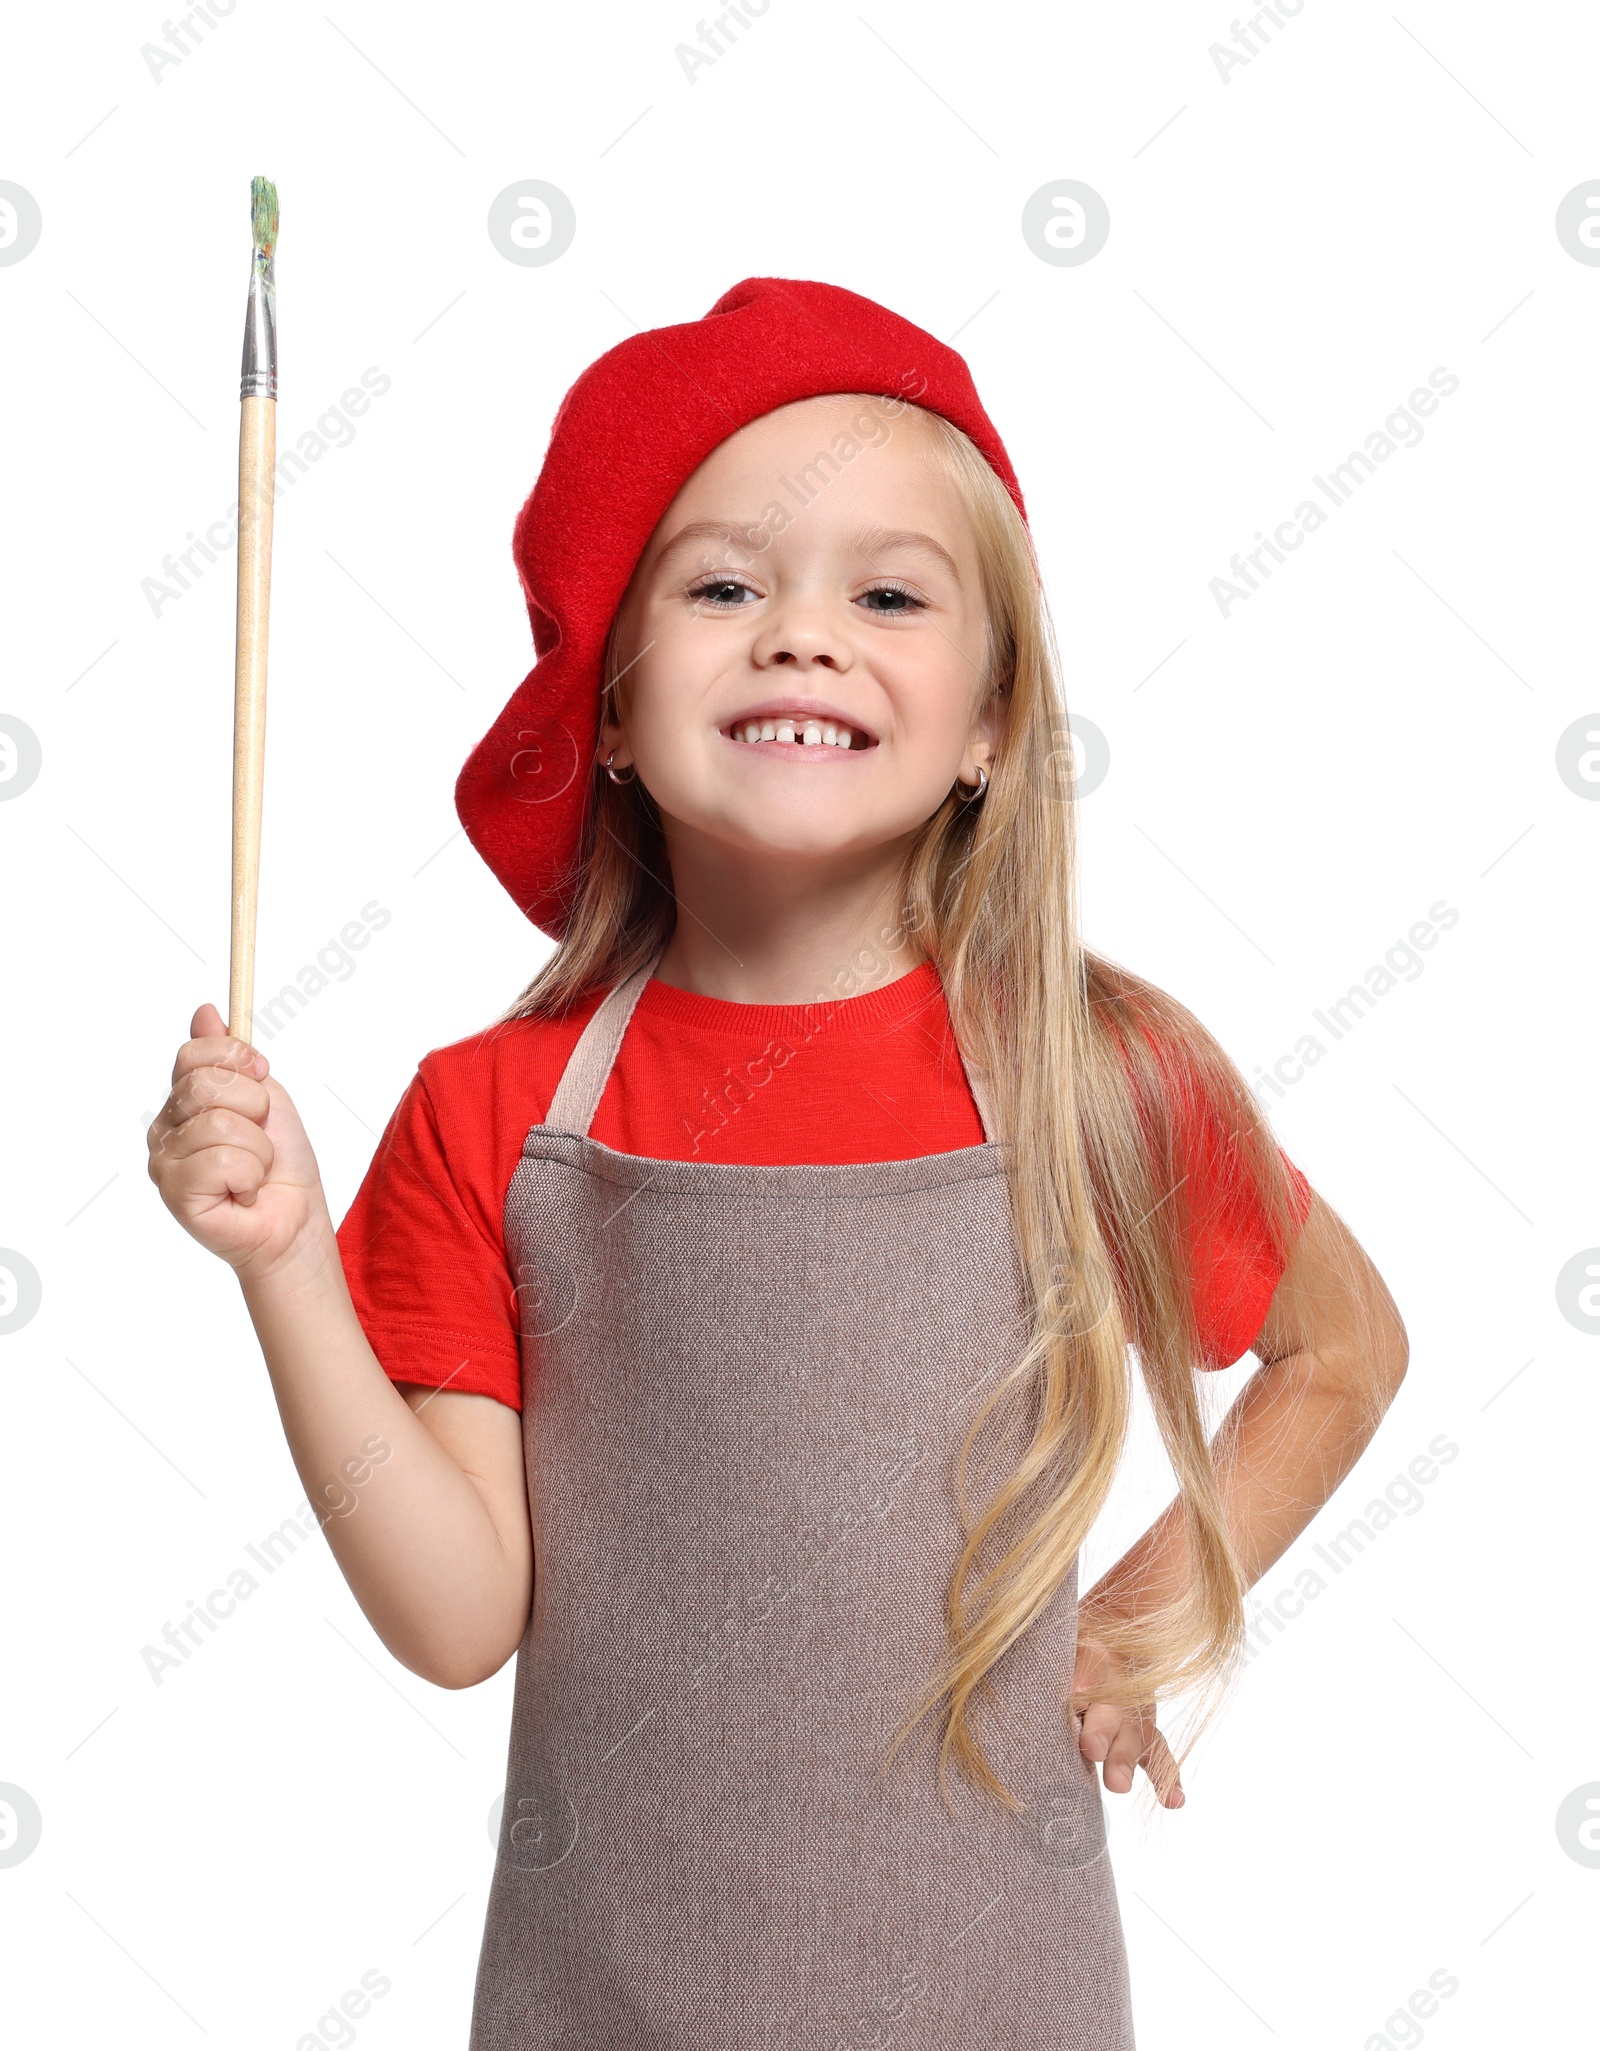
{"x": 257, "y": 454}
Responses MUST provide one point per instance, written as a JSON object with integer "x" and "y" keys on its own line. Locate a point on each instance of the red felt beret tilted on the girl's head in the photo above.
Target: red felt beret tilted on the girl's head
{"x": 629, "y": 436}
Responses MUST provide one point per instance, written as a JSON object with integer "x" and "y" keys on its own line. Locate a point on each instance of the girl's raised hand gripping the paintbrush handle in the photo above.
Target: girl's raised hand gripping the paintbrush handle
{"x": 231, "y": 1156}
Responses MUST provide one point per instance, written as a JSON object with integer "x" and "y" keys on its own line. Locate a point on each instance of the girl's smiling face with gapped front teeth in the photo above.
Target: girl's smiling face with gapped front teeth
{"x": 815, "y": 579}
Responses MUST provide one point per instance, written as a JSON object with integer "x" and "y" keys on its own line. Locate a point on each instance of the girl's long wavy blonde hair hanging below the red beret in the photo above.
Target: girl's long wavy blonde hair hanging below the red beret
{"x": 1084, "y": 1063}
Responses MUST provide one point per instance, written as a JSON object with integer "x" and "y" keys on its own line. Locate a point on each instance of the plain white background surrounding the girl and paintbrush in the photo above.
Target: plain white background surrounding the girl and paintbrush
{"x": 1293, "y": 787}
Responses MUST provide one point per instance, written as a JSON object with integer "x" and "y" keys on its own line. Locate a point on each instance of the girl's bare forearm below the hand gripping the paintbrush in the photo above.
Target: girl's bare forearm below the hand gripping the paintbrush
{"x": 413, "y": 1537}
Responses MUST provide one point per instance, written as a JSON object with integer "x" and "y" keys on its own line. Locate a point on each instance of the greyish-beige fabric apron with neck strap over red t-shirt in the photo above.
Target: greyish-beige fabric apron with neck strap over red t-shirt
{"x": 742, "y": 1396}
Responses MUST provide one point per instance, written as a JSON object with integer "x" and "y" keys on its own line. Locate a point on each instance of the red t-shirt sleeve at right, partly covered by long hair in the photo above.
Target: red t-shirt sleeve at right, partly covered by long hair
{"x": 1234, "y": 1260}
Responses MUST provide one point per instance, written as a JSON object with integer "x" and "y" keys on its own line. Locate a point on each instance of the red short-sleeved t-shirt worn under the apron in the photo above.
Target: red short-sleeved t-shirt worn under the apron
{"x": 873, "y": 1078}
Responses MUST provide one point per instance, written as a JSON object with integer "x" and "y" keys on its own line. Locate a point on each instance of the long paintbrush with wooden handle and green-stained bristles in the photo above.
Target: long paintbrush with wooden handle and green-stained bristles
{"x": 257, "y": 454}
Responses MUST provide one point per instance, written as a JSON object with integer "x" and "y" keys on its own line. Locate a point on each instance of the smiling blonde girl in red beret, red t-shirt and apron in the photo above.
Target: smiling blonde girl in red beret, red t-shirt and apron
{"x": 739, "y": 1328}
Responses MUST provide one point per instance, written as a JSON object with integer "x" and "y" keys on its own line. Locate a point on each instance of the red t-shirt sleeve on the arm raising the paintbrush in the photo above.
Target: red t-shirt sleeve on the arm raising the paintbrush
{"x": 424, "y": 1254}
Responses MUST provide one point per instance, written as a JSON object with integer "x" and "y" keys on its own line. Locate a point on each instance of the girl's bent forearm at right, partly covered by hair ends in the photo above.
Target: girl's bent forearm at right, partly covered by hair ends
{"x": 1285, "y": 1447}
